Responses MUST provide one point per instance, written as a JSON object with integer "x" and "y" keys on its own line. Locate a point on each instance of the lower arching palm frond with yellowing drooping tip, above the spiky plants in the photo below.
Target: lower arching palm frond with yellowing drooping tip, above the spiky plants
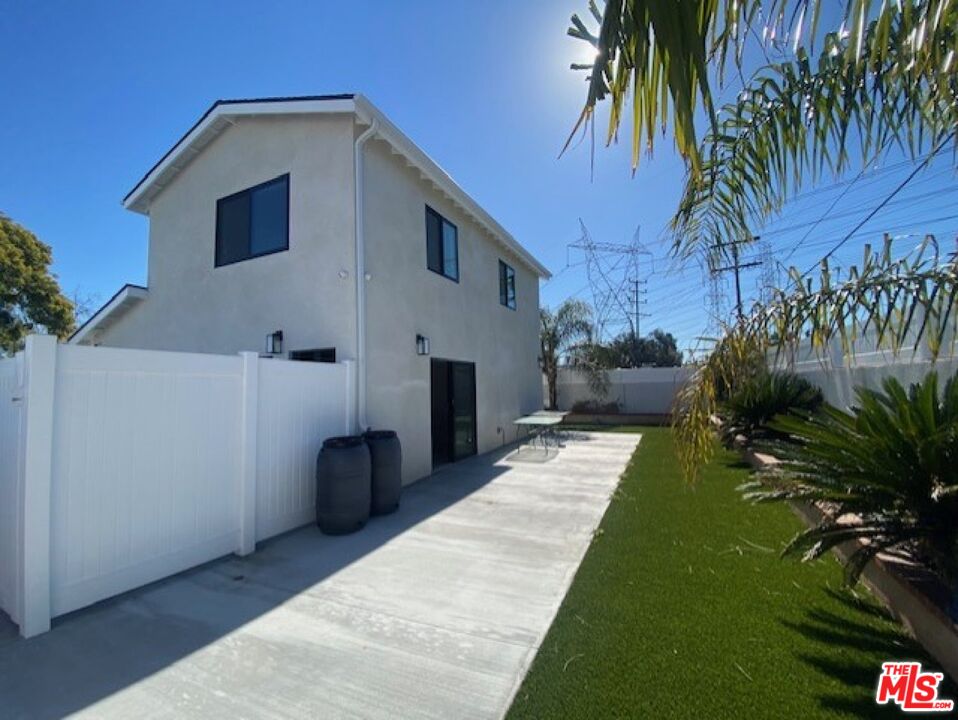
{"x": 903, "y": 304}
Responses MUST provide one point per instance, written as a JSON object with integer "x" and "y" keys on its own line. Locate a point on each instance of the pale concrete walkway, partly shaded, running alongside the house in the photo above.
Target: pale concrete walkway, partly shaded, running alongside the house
{"x": 433, "y": 612}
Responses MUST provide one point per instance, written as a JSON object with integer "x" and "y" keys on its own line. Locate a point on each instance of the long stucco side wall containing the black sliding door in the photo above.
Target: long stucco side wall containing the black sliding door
{"x": 463, "y": 321}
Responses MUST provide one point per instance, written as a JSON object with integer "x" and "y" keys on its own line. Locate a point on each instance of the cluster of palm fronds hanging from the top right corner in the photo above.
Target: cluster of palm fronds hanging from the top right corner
{"x": 884, "y": 77}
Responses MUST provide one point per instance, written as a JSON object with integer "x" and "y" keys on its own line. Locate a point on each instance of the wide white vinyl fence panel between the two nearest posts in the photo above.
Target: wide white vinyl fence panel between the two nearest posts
{"x": 146, "y": 468}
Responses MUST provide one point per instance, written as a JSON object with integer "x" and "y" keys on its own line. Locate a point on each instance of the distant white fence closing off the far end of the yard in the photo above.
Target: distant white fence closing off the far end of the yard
{"x": 638, "y": 391}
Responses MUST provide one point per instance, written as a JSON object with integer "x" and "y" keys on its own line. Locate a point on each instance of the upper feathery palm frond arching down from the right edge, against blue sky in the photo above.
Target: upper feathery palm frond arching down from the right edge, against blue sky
{"x": 797, "y": 120}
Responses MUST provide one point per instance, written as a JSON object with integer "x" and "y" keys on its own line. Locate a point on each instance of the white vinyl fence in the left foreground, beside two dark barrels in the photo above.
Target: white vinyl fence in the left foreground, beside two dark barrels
{"x": 121, "y": 467}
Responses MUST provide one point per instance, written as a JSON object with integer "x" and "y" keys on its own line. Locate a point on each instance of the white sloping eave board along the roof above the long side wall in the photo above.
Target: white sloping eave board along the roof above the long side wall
{"x": 365, "y": 111}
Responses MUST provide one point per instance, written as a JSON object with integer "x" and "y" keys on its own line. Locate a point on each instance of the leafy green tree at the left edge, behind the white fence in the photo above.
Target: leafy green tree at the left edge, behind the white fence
{"x": 30, "y": 297}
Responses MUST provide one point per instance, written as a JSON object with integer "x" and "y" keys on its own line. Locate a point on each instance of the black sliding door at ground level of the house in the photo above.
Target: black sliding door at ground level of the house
{"x": 453, "y": 410}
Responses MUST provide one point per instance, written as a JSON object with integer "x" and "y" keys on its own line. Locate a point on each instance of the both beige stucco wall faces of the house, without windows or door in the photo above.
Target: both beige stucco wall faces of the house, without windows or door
{"x": 194, "y": 306}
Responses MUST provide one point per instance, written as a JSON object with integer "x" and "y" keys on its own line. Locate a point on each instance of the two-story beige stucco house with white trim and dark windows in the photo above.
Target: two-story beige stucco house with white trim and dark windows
{"x": 313, "y": 228}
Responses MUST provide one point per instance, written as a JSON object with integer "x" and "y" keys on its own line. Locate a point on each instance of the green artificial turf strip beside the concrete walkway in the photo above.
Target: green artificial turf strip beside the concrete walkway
{"x": 683, "y": 608}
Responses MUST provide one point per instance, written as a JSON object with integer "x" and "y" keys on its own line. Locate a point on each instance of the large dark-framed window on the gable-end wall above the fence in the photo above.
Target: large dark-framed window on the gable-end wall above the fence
{"x": 253, "y": 222}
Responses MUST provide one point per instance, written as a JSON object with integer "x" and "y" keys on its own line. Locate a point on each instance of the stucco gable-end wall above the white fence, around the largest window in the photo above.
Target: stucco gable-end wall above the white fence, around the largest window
{"x": 194, "y": 306}
